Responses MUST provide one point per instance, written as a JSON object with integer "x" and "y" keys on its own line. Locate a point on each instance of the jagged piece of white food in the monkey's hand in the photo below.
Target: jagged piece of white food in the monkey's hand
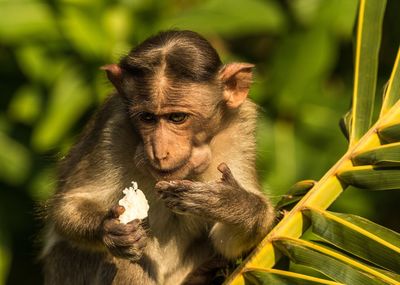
{"x": 135, "y": 204}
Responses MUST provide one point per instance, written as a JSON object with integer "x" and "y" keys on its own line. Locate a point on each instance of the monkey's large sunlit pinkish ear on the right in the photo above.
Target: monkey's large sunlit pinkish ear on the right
{"x": 236, "y": 78}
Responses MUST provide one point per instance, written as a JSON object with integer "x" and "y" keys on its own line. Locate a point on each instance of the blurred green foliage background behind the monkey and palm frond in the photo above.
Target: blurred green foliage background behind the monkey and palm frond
{"x": 50, "y": 84}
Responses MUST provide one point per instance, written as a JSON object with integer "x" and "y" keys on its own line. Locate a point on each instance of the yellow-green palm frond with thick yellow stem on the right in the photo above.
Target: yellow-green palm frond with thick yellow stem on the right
{"x": 357, "y": 251}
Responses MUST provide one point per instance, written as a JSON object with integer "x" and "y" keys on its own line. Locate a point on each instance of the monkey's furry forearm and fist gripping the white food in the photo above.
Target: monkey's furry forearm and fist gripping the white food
{"x": 90, "y": 221}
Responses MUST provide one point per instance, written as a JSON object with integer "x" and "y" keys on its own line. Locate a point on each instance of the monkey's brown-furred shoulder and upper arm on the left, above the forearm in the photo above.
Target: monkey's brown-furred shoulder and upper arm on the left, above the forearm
{"x": 107, "y": 142}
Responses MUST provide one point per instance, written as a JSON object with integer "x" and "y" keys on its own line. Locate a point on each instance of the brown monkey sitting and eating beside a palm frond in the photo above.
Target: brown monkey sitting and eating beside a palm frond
{"x": 181, "y": 125}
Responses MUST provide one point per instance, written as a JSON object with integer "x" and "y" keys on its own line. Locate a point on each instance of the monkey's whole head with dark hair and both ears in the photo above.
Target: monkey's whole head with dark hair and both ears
{"x": 178, "y": 93}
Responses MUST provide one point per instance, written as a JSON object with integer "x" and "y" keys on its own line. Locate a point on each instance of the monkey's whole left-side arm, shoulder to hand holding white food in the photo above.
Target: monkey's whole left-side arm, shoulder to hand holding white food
{"x": 92, "y": 177}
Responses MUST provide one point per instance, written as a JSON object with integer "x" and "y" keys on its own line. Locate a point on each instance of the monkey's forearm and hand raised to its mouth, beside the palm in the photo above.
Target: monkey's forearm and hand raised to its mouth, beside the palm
{"x": 242, "y": 218}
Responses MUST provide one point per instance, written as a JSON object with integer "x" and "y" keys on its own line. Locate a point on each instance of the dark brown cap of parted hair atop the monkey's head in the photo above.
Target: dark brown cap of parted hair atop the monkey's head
{"x": 183, "y": 55}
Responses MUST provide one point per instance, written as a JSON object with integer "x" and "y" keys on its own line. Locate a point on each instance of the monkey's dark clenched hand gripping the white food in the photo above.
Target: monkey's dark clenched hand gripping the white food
{"x": 123, "y": 240}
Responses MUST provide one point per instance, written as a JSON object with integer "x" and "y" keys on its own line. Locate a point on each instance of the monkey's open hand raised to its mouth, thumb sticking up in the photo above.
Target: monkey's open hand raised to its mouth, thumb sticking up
{"x": 205, "y": 199}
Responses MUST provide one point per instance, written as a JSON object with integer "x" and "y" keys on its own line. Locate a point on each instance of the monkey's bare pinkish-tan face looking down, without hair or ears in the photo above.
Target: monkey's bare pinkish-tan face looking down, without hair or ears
{"x": 175, "y": 132}
